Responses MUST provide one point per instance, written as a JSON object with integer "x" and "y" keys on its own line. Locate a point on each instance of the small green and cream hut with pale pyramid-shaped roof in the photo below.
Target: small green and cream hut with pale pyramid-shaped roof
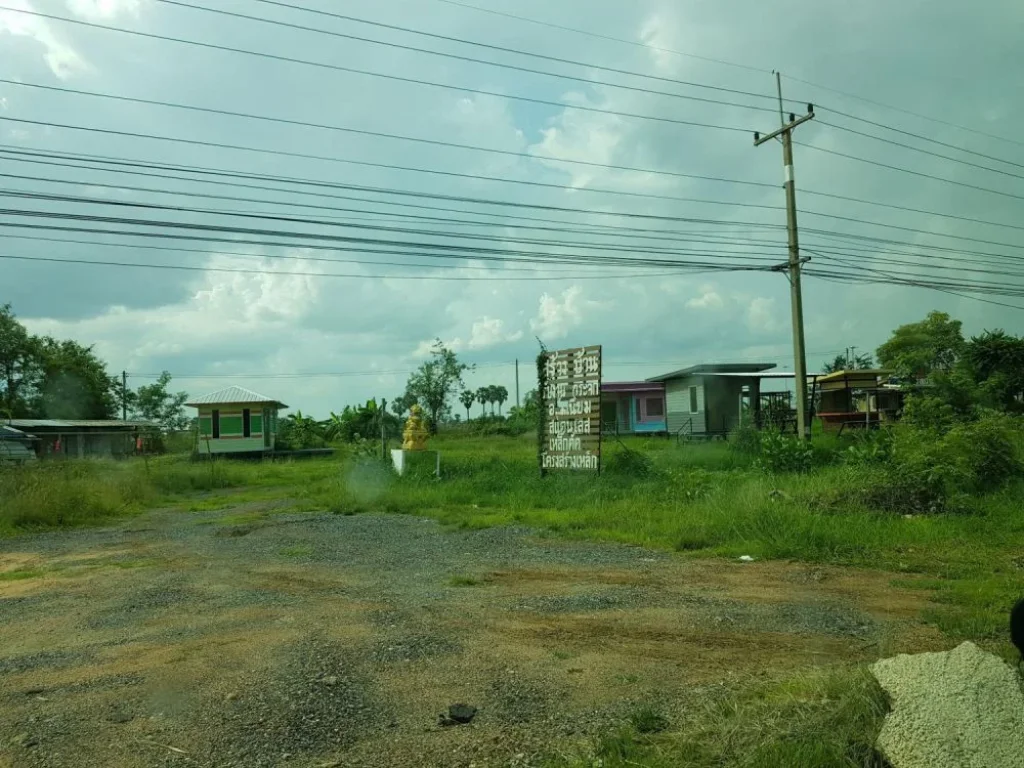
{"x": 237, "y": 421}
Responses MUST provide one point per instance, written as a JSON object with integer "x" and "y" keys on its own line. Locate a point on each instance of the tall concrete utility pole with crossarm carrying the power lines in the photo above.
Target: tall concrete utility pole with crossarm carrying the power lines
{"x": 795, "y": 263}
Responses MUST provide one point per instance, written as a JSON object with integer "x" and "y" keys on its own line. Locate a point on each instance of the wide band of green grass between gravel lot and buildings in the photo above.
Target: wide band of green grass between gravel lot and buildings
{"x": 704, "y": 499}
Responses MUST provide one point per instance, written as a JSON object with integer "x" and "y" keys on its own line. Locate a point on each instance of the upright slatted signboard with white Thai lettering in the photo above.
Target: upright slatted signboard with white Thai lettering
{"x": 572, "y": 402}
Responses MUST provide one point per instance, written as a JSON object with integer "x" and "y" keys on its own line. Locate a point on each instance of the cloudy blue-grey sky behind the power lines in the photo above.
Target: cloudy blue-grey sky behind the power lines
{"x": 321, "y": 335}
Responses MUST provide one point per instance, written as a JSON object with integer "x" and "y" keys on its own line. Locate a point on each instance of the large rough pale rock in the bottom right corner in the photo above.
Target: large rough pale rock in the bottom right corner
{"x": 959, "y": 709}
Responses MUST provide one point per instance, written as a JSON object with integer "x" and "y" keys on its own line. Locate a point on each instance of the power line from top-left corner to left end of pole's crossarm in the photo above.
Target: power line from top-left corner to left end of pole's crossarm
{"x": 396, "y": 78}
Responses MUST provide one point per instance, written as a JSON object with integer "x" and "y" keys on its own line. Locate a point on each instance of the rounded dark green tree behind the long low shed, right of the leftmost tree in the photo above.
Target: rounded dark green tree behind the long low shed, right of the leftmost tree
{"x": 75, "y": 385}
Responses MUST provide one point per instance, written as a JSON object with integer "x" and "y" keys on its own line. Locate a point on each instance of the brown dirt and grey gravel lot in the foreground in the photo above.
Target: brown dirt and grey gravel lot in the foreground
{"x": 263, "y": 641}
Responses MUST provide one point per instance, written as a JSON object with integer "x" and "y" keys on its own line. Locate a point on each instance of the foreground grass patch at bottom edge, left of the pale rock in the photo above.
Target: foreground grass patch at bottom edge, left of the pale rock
{"x": 824, "y": 719}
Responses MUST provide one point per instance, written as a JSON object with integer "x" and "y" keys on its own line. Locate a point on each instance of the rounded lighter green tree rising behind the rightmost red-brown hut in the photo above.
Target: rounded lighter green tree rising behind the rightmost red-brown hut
{"x": 921, "y": 351}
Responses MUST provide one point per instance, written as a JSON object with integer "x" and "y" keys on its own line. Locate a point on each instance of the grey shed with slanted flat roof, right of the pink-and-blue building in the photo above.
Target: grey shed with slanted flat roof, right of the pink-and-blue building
{"x": 708, "y": 400}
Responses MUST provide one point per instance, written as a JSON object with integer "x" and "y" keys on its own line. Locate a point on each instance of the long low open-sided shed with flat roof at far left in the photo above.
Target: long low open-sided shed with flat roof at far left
{"x": 83, "y": 439}
